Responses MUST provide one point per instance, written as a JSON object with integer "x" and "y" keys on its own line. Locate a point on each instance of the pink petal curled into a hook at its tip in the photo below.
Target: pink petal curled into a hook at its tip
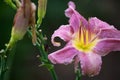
{"x": 64, "y": 32}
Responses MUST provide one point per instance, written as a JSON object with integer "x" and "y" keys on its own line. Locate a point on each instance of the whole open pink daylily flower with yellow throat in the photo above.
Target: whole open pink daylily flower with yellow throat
{"x": 86, "y": 41}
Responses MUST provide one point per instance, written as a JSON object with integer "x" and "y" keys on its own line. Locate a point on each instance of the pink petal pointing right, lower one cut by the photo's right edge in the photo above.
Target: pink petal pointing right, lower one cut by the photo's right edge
{"x": 105, "y": 46}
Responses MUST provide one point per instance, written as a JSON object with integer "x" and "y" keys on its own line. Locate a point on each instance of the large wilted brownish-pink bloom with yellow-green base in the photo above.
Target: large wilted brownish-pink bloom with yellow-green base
{"x": 21, "y": 23}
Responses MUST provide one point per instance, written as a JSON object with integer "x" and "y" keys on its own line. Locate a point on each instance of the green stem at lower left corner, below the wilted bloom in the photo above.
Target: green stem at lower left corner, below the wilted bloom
{"x": 6, "y": 62}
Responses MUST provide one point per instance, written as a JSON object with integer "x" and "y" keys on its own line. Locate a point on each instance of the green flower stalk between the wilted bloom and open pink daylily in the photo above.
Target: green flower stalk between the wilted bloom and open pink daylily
{"x": 40, "y": 44}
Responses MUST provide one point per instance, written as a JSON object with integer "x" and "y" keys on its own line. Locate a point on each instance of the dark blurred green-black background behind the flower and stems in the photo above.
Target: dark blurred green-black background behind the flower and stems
{"x": 25, "y": 64}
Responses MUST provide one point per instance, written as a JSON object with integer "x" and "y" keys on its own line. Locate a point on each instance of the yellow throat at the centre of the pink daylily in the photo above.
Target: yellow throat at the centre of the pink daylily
{"x": 84, "y": 40}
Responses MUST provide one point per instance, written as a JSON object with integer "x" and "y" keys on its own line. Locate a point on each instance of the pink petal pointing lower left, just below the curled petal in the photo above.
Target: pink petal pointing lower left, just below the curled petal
{"x": 63, "y": 56}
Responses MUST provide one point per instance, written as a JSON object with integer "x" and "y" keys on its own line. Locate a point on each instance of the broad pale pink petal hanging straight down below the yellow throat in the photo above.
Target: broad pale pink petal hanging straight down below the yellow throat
{"x": 90, "y": 63}
